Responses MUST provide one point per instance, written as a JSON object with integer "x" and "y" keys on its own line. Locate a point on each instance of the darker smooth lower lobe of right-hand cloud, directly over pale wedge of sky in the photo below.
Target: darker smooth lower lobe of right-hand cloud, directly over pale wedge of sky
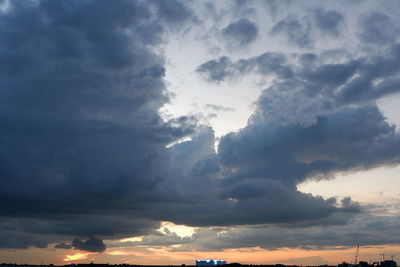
{"x": 288, "y": 151}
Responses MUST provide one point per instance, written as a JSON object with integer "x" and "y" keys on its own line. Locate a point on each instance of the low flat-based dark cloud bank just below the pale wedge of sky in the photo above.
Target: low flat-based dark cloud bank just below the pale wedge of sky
{"x": 229, "y": 205}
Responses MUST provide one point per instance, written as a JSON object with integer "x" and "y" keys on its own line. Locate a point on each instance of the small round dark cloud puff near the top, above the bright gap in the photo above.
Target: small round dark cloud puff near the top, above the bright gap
{"x": 242, "y": 32}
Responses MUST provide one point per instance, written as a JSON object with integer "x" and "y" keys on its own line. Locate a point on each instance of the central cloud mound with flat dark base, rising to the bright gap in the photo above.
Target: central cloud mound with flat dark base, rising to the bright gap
{"x": 202, "y": 198}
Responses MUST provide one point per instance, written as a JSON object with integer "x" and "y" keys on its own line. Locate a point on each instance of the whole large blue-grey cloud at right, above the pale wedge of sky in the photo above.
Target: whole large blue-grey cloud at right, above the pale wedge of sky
{"x": 317, "y": 107}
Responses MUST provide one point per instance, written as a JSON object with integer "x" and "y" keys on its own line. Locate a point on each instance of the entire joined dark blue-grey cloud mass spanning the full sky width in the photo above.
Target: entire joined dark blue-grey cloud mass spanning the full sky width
{"x": 85, "y": 154}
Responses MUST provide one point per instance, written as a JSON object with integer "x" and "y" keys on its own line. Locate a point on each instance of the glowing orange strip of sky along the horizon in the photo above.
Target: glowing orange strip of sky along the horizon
{"x": 160, "y": 256}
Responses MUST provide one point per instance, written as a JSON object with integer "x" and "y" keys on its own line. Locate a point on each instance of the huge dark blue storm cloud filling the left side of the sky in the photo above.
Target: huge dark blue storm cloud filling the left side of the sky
{"x": 81, "y": 133}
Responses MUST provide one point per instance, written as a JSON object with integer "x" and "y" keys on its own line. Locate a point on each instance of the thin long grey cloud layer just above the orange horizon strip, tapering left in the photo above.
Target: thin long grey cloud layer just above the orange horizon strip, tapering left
{"x": 365, "y": 230}
